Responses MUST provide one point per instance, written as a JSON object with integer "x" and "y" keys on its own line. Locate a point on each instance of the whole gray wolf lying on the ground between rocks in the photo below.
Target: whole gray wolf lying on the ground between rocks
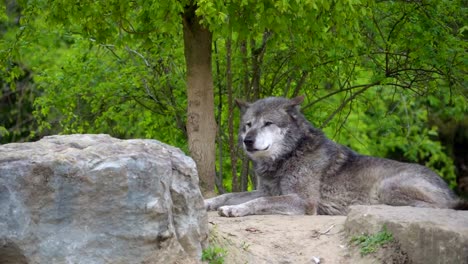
{"x": 301, "y": 171}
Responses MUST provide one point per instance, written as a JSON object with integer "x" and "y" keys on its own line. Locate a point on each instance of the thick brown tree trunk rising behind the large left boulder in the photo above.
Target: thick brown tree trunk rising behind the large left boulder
{"x": 201, "y": 125}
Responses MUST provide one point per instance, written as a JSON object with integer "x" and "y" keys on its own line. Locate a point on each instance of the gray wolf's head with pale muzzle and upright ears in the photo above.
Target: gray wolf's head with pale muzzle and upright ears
{"x": 270, "y": 127}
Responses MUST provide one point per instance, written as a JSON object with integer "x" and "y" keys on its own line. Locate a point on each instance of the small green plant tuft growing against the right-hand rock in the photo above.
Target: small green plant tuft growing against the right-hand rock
{"x": 370, "y": 243}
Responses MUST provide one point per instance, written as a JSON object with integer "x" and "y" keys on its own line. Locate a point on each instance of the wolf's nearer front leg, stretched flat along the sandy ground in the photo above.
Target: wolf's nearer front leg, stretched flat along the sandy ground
{"x": 290, "y": 204}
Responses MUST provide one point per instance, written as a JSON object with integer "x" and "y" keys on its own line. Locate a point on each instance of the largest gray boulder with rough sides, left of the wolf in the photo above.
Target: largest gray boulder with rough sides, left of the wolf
{"x": 96, "y": 199}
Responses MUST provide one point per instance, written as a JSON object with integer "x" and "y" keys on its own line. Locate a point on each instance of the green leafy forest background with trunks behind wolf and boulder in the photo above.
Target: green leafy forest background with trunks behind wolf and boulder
{"x": 386, "y": 78}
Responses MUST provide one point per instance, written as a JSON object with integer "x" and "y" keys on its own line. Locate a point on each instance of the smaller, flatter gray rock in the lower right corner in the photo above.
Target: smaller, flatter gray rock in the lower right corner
{"x": 425, "y": 235}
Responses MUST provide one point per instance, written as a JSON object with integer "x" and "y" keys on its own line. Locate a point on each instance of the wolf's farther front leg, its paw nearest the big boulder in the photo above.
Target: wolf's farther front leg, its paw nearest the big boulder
{"x": 231, "y": 199}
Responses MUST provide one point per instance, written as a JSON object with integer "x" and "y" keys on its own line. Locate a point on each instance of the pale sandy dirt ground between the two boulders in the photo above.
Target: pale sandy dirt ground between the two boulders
{"x": 283, "y": 239}
